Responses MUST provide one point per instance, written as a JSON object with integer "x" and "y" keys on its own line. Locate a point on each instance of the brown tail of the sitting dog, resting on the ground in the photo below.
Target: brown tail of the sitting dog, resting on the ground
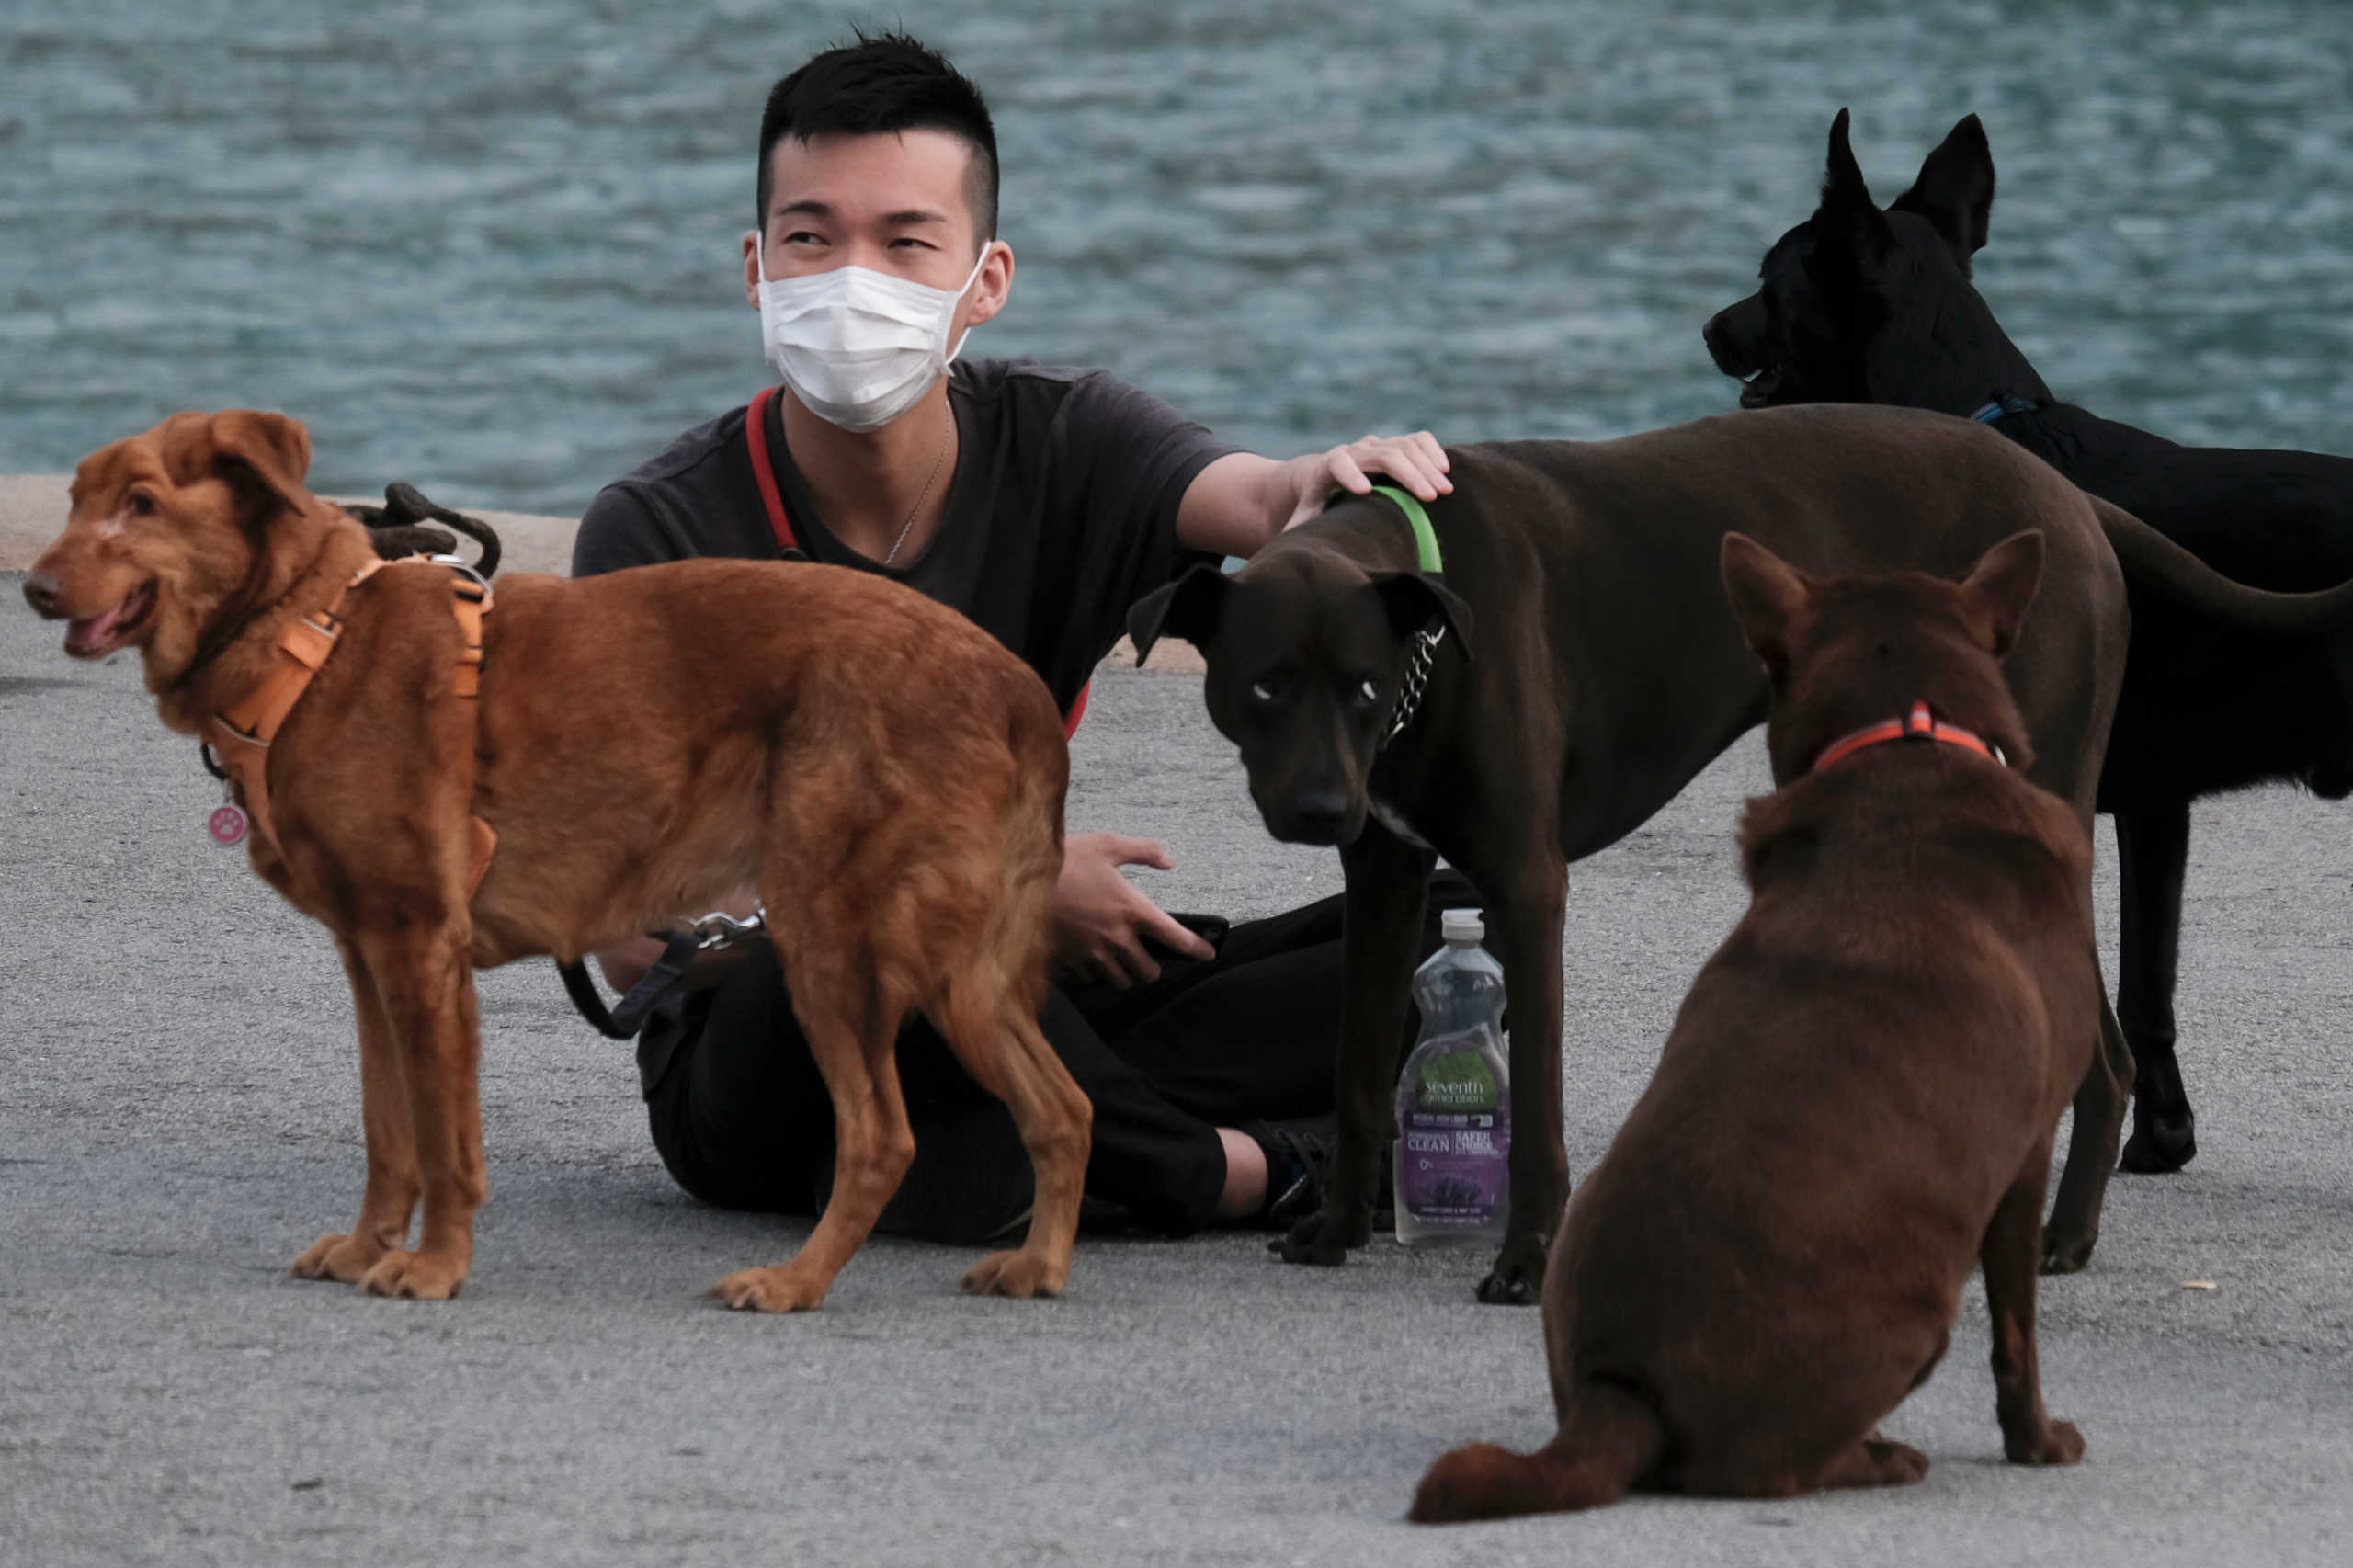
{"x": 1608, "y": 1442}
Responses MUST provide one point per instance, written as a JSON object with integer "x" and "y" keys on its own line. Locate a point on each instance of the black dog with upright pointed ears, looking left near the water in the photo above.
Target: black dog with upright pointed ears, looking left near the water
{"x": 1877, "y": 307}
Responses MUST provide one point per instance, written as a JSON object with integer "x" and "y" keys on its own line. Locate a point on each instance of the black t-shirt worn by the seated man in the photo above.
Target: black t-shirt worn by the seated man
{"x": 1062, "y": 510}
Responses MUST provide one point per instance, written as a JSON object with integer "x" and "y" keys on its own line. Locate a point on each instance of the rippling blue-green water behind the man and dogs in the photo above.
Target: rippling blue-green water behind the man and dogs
{"x": 493, "y": 248}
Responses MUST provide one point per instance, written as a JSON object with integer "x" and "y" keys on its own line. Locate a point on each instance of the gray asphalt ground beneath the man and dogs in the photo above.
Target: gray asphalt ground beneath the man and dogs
{"x": 180, "y": 1117}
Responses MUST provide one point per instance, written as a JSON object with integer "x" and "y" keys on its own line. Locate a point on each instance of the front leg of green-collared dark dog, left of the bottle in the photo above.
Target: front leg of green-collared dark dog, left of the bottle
{"x": 1382, "y": 924}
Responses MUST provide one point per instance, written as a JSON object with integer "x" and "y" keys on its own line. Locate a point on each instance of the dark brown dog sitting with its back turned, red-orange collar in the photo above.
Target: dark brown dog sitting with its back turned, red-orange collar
{"x": 1860, "y": 1094}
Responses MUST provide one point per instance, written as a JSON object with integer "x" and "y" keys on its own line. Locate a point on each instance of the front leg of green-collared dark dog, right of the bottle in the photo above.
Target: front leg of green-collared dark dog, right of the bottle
{"x": 1526, "y": 910}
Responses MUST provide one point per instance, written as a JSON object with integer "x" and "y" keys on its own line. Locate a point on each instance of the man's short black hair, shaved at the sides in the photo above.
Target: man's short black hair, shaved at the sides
{"x": 888, "y": 84}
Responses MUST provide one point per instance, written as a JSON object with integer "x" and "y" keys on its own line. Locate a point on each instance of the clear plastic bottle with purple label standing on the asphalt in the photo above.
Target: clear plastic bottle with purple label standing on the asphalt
{"x": 1455, "y": 1098}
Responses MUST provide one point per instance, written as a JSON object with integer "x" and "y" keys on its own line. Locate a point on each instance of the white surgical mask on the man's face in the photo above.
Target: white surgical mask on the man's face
{"x": 858, "y": 347}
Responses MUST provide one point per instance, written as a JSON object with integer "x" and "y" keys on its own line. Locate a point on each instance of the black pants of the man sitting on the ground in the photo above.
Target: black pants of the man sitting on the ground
{"x": 742, "y": 1115}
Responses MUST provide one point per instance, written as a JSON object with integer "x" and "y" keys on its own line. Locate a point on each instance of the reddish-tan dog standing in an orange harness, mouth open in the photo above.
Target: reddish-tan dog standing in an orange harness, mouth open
{"x": 641, "y": 745}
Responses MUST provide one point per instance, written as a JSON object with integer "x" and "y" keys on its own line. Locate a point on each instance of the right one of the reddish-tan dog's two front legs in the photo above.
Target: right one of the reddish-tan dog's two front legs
{"x": 425, "y": 985}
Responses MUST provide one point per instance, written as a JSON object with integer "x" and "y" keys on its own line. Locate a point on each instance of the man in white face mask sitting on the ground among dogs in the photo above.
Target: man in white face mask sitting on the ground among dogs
{"x": 1041, "y": 503}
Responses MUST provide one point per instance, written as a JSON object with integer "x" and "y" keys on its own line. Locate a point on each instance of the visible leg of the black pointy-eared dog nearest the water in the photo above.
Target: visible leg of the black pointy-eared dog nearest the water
{"x": 2154, "y": 851}
